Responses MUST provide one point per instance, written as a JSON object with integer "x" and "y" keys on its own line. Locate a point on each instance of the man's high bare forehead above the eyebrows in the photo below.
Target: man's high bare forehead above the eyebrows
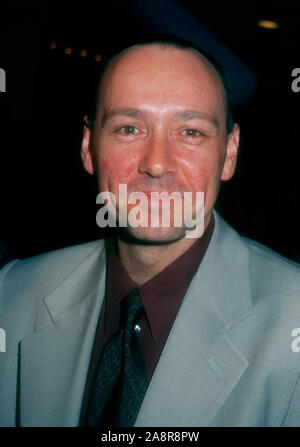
{"x": 162, "y": 76}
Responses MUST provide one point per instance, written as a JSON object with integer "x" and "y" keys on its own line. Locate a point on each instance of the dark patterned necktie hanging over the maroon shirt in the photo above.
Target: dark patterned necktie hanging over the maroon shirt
{"x": 120, "y": 383}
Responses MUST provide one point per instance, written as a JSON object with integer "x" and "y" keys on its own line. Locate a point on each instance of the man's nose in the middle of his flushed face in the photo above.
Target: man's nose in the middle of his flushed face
{"x": 157, "y": 158}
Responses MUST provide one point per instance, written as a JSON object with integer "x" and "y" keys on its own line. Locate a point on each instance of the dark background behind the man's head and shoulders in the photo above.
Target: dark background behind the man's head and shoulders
{"x": 48, "y": 201}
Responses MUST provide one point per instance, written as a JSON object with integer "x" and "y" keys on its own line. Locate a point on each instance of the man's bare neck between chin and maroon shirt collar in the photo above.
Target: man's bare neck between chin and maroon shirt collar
{"x": 143, "y": 262}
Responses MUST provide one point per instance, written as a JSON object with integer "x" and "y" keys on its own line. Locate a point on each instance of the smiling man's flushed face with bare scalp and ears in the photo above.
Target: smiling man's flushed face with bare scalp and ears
{"x": 161, "y": 126}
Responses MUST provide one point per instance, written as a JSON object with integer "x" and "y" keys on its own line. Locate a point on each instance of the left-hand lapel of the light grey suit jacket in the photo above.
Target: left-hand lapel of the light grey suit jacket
{"x": 55, "y": 359}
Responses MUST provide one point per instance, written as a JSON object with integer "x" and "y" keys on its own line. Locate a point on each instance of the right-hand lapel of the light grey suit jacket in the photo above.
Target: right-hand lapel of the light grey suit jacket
{"x": 200, "y": 365}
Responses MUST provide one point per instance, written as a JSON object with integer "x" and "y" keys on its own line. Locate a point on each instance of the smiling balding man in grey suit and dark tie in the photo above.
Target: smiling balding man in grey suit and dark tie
{"x": 215, "y": 332}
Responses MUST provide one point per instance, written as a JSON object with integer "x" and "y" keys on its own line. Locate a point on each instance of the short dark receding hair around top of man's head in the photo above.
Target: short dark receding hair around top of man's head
{"x": 166, "y": 40}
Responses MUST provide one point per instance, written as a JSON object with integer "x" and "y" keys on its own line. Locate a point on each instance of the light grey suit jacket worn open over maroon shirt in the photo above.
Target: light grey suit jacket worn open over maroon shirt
{"x": 228, "y": 359}
